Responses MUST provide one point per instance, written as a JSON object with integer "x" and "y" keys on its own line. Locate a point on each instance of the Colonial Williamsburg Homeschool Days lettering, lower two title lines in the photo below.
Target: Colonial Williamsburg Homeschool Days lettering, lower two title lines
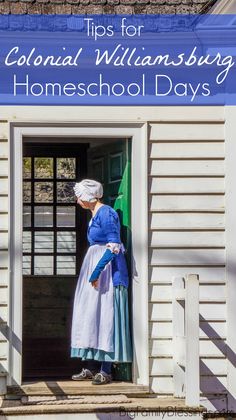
{"x": 119, "y": 57}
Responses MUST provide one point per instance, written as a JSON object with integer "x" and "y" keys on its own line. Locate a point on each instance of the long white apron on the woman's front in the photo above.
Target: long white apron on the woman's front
{"x": 93, "y": 312}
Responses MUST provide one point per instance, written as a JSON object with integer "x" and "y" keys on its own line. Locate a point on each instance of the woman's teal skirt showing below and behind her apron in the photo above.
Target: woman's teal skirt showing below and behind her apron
{"x": 121, "y": 335}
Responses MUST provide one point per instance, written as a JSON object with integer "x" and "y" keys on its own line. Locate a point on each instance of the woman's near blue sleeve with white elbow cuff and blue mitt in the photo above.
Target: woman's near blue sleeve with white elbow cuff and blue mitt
{"x": 111, "y": 228}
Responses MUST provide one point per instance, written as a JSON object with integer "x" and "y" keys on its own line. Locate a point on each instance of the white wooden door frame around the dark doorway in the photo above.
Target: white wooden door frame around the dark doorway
{"x": 139, "y": 225}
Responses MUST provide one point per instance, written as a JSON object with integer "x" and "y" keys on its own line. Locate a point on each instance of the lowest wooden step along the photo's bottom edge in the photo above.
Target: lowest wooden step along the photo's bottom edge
{"x": 140, "y": 407}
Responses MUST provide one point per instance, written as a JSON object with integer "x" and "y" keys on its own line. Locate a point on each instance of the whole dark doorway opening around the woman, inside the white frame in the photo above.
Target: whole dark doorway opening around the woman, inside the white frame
{"x": 50, "y": 170}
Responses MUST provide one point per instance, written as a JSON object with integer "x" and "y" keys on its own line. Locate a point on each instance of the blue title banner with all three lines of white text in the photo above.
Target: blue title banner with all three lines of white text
{"x": 108, "y": 64}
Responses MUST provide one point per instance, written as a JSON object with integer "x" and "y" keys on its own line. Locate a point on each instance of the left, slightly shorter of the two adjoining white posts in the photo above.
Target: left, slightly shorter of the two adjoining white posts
{"x": 178, "y": 295}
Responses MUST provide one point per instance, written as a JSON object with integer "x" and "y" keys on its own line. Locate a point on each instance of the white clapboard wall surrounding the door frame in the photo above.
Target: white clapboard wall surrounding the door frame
{"x": 186, "y": 226}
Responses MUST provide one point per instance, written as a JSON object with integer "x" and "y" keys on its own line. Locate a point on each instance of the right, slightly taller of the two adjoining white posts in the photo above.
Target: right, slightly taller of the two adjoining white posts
{"x": 192, "y": 370}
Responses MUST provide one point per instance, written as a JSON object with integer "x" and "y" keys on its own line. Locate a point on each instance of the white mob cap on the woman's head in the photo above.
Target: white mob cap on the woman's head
{"x": 88, "y": 190}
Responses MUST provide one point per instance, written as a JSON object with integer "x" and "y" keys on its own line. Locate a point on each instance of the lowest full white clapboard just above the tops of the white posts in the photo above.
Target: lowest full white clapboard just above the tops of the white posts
{"x": 187, "y": 257}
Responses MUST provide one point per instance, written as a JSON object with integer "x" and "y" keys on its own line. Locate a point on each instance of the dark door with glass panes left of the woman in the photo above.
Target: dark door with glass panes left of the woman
{"x": 54, "y": 243}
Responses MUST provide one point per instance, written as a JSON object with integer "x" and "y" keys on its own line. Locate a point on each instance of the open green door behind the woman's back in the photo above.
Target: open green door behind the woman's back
{"x": 111, "y": 165}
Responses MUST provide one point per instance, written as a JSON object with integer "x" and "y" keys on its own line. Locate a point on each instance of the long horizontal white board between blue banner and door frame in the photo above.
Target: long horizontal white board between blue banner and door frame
{"x": 126, "y": 113}
